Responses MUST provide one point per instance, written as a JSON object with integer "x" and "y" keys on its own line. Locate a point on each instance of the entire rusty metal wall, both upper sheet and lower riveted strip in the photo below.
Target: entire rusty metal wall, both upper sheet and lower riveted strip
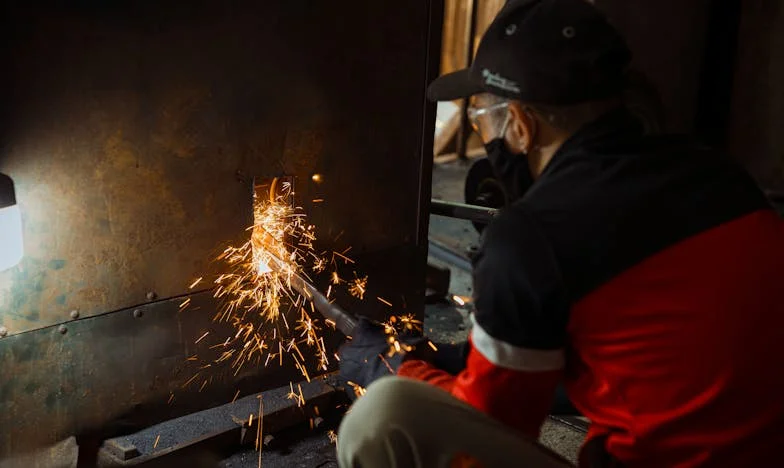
{"x": 134, "y": 129}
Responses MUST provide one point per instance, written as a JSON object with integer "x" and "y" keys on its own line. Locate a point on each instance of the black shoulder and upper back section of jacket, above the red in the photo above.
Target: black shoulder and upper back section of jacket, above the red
{"x": 612, "y": 197}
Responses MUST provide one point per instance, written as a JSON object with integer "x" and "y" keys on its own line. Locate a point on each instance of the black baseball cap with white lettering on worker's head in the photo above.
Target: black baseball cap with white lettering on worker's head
{"x": 543, "y": 51}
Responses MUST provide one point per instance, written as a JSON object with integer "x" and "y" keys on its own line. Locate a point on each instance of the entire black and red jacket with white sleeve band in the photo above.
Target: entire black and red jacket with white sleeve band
{"x": 646, "y": 274}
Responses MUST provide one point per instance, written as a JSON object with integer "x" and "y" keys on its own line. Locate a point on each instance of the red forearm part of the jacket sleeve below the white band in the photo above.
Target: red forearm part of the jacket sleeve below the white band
{"x": 519, "y": 399}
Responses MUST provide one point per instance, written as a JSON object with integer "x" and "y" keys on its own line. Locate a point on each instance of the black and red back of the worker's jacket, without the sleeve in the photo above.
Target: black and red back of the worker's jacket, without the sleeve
{"x": 672, "y": 259}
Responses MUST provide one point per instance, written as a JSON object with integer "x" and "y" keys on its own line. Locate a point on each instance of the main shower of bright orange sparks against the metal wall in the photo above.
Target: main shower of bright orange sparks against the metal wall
{"x": 272, "y": 322}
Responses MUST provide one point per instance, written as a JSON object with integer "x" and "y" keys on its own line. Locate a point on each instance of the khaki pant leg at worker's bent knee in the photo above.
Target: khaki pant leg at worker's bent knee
{"x": 404, "y": 423}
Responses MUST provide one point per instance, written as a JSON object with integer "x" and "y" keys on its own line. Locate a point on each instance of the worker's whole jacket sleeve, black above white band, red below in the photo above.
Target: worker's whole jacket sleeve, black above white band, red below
{"x": 518, "y": 339}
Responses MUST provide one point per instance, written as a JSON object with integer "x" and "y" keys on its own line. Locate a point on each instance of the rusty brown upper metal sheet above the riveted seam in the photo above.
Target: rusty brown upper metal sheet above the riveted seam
{"x": 133, "y": 130}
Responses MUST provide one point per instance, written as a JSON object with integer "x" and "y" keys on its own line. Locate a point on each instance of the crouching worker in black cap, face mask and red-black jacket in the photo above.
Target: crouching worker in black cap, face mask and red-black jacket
{"x": 642, "y": 272}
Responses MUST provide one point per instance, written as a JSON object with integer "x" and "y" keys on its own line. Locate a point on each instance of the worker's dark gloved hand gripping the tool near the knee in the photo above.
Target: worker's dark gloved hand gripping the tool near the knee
{"x": 367, "y": 356}
